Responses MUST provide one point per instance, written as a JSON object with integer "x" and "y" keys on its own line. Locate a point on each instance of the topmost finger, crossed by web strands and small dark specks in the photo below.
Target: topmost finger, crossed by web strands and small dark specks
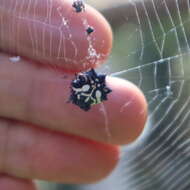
{"x": 53, "y": 32}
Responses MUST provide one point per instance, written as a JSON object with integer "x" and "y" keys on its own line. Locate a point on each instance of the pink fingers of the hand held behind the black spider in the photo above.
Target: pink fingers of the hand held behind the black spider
{"x": 41, "y": 135}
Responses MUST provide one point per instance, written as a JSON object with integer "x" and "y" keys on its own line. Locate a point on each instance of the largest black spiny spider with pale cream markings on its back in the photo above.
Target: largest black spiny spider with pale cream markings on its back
{"x": 87, "y": 89}
